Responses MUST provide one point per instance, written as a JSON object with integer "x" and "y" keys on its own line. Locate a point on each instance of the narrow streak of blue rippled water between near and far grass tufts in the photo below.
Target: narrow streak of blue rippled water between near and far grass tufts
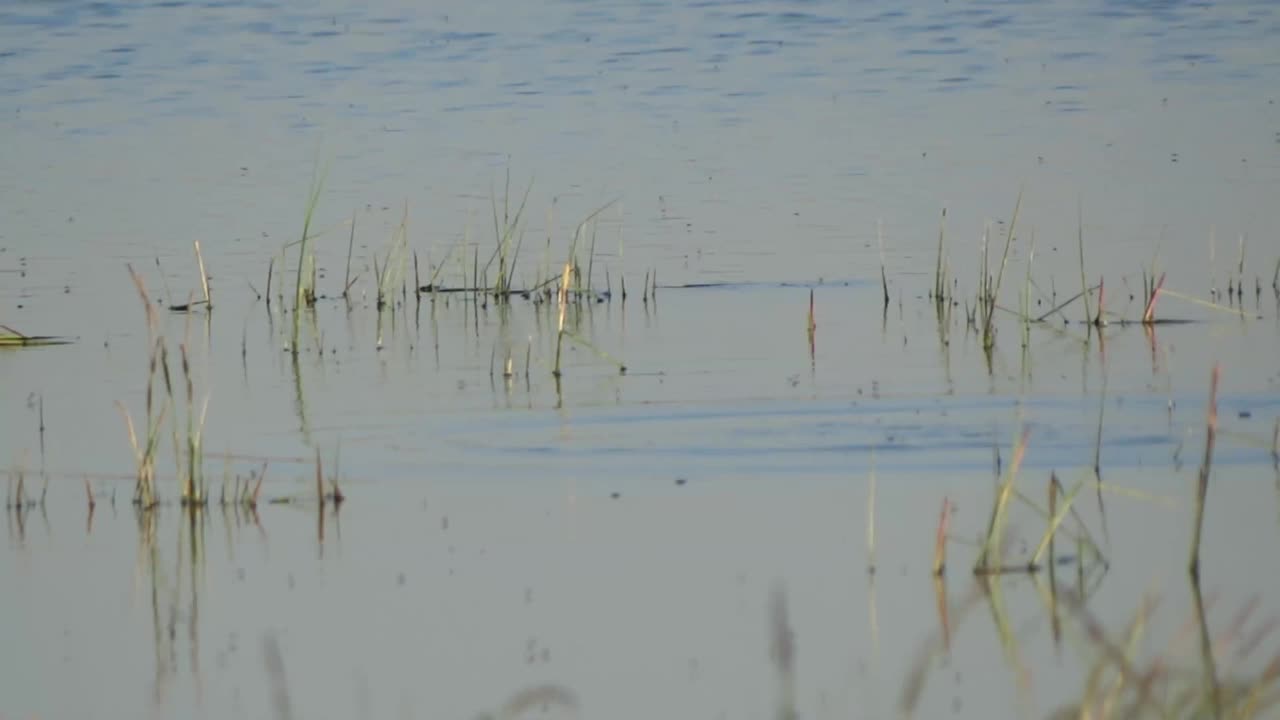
{"x": 959, "y": 438}
